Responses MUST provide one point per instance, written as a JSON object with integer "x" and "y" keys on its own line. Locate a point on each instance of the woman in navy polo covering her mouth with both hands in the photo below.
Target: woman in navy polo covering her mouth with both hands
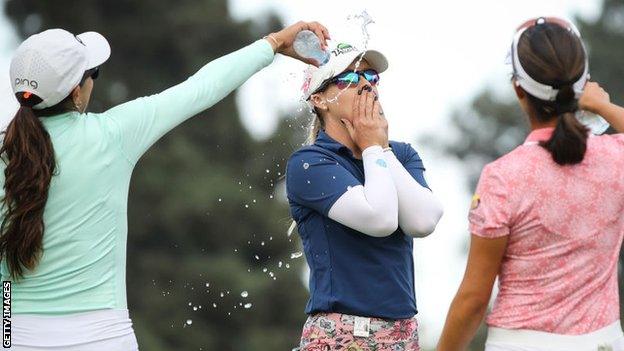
{"x": 358, "y": 201}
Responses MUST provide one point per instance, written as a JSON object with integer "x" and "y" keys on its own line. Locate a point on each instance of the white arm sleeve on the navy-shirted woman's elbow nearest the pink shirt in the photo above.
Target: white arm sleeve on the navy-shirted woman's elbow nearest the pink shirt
{"x": 419, "y": 209}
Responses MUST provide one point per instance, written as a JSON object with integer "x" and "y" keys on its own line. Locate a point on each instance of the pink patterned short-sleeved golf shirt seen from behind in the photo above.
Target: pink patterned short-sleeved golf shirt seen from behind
{"x": 565, "y": 226}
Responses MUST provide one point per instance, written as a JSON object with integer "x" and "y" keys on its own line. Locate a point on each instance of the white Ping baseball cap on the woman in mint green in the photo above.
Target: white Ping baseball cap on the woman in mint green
{"x": 52, "y": 63}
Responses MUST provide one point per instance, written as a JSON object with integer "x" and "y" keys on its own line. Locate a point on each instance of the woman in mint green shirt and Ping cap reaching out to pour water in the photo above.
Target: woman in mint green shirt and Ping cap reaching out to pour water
{"x": 66, "y": 175}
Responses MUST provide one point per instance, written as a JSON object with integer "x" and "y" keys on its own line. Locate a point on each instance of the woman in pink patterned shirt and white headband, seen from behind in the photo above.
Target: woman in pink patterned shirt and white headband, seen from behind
{"x": 548, "y": 218}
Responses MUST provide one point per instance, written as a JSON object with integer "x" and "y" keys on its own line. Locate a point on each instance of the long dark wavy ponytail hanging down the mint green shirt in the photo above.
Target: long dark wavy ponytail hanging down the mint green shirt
{"x": 28, "y": 154}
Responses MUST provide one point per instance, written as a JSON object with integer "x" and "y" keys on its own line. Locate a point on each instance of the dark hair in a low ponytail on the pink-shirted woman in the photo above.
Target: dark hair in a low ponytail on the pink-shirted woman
{"x": 555, "y": 56}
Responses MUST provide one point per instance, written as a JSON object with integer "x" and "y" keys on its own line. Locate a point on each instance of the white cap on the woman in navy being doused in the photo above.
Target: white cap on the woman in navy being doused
{"x": 340, "y": 58}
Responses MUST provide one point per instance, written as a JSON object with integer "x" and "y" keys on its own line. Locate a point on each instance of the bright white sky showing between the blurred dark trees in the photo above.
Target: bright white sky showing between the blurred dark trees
{"x": 441, "y": 54}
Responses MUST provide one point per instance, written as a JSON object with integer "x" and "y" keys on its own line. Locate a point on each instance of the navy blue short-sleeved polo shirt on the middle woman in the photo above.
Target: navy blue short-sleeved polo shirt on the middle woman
{"x": 350, "y": 272}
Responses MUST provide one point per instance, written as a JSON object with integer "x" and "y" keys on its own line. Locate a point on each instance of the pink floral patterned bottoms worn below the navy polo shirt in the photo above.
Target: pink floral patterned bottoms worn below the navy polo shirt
{"x": 334, "y": 331}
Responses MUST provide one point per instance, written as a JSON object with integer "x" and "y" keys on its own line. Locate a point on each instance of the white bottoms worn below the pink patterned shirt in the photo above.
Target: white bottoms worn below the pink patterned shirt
{"x": 555, "y": 342}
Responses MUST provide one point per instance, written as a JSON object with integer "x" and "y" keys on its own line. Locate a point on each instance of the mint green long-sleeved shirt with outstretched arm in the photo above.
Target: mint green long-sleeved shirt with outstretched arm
{"x": 83, "y": 266}
